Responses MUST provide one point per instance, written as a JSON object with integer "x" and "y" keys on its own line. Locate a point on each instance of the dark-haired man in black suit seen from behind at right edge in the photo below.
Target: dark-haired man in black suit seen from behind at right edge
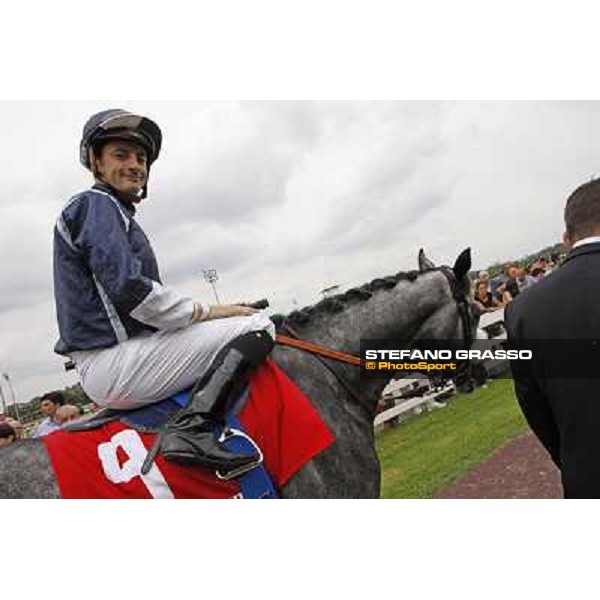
{"x": 564, "y": 413}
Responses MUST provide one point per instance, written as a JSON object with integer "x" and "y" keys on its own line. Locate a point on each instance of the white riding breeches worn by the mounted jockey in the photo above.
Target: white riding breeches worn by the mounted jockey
{"x": 151, "y": 367}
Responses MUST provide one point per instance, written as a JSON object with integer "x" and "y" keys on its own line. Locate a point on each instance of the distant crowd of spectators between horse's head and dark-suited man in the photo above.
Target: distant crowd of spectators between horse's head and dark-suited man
{"x": 492, "y": 294}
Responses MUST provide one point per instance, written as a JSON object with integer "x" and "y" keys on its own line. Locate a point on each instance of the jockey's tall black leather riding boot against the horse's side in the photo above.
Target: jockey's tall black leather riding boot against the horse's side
{"x": 190, "y": 438}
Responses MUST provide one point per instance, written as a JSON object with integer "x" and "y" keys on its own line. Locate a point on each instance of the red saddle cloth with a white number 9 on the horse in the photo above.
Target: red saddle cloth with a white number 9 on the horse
{"x": 106, "y": 462}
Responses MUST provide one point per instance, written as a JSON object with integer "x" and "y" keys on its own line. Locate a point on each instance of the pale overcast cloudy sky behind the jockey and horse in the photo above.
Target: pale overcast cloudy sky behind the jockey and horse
{"x": 287, "y": 198}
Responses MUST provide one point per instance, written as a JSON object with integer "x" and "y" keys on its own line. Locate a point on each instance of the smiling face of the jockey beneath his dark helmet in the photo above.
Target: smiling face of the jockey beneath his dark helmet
{"x": 123, "y": 165}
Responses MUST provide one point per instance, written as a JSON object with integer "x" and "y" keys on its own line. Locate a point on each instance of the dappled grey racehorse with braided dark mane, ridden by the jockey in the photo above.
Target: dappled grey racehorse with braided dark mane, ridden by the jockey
{"x": 406, "y": 307}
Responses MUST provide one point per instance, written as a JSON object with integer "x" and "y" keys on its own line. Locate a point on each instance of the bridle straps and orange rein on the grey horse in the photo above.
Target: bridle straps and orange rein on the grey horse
{"x": 293, "y": 340}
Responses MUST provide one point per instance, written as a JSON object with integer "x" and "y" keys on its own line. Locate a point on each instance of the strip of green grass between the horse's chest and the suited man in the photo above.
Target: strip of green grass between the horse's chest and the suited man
{"x": 428, "y": 452}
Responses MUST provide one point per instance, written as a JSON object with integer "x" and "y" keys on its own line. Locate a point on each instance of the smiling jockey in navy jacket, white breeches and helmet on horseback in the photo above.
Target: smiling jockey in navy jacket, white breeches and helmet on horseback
{"x": 133, "y": 340}
